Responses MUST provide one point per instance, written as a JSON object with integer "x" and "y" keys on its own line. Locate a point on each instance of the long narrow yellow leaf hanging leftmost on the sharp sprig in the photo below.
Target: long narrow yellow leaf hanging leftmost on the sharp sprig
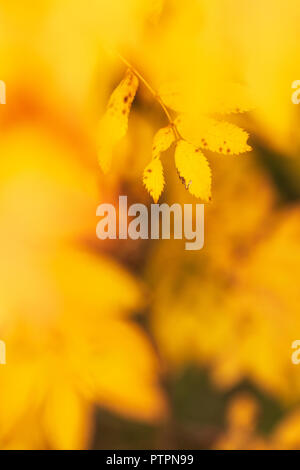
{"x": 114, "y": 124}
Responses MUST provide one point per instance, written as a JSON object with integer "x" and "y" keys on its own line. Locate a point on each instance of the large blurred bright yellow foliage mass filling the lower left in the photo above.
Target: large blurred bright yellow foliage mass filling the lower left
{"x": 64, "y": 310}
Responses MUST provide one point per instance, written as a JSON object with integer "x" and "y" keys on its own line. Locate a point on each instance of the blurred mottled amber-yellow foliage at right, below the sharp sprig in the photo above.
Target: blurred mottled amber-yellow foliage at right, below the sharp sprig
{"x": 224, "y": 307}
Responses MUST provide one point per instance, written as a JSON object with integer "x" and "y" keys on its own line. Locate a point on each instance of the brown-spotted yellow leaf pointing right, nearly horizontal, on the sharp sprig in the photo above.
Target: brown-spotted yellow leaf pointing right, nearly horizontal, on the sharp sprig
{"x": 221, "y": 137}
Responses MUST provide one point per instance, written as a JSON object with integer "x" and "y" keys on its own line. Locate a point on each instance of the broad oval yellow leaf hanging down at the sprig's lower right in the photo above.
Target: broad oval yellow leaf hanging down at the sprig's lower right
{"x": 193, "y": 168}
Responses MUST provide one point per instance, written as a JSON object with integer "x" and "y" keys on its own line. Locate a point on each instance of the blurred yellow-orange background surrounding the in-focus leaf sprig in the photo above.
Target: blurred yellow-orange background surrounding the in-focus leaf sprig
{"x": 141, "y": 344}
